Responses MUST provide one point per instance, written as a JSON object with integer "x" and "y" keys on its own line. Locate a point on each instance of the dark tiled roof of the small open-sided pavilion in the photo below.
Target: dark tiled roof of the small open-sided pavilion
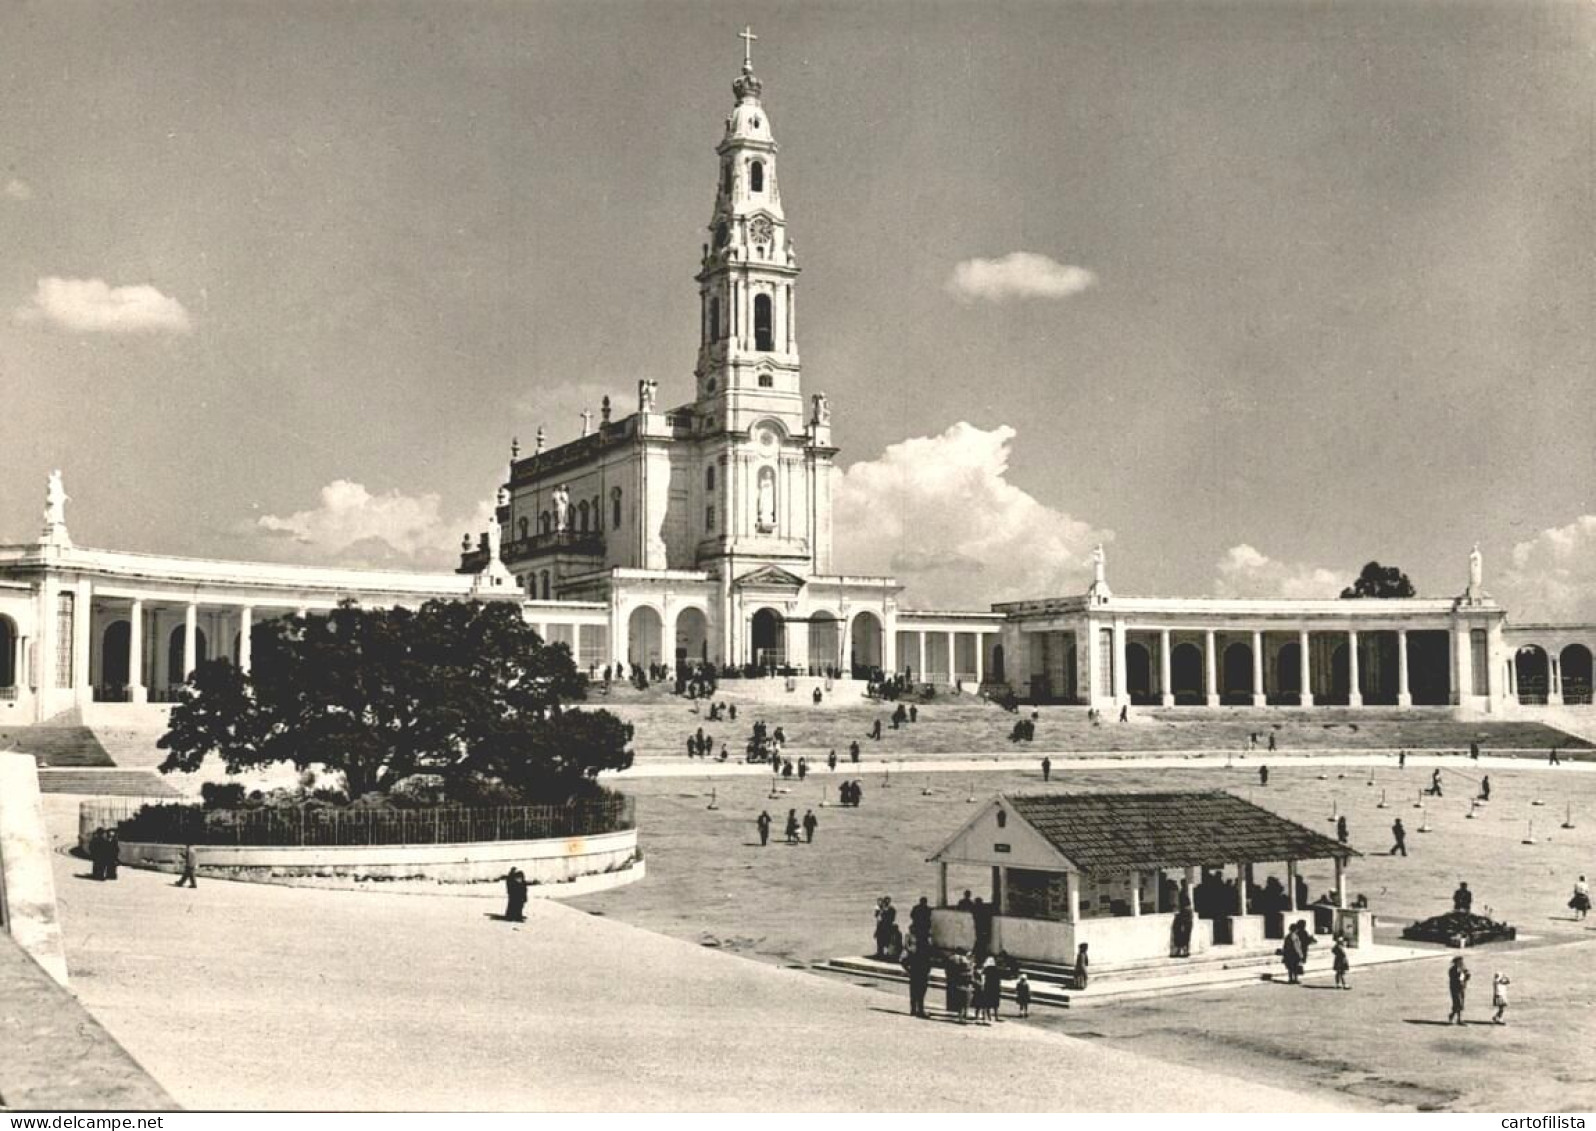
{"x": 1120, "y": 832}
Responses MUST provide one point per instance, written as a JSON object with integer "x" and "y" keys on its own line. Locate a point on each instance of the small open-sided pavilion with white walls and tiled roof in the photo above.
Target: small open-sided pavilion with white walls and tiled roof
{"x": 1116, "y": 870}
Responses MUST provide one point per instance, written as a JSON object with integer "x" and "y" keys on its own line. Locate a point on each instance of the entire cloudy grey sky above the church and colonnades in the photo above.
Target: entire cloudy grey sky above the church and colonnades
{"x": 1250, "y": 293}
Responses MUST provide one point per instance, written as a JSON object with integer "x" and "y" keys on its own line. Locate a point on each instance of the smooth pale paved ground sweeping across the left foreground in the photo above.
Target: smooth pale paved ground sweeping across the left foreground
{"x": 267, "y": 998}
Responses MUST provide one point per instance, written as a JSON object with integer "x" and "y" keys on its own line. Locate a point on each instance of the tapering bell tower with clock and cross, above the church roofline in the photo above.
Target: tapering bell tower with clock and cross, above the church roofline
{"x": 748, "y": 365}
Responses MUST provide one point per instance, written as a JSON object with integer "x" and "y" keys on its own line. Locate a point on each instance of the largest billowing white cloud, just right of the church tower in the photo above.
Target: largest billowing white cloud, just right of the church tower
{"x": 941, "y": 516}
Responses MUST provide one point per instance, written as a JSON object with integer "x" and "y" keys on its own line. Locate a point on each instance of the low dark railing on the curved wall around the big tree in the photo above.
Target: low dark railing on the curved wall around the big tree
{"x": 184, "y": 824}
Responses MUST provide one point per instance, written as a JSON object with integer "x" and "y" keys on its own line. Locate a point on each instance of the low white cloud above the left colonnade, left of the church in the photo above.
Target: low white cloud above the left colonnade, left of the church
{"x": 355, "y": 527}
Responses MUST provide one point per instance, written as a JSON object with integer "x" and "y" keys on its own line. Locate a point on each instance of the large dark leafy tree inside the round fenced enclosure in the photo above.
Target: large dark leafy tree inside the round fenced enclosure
{"x": 454, "y": 688}
